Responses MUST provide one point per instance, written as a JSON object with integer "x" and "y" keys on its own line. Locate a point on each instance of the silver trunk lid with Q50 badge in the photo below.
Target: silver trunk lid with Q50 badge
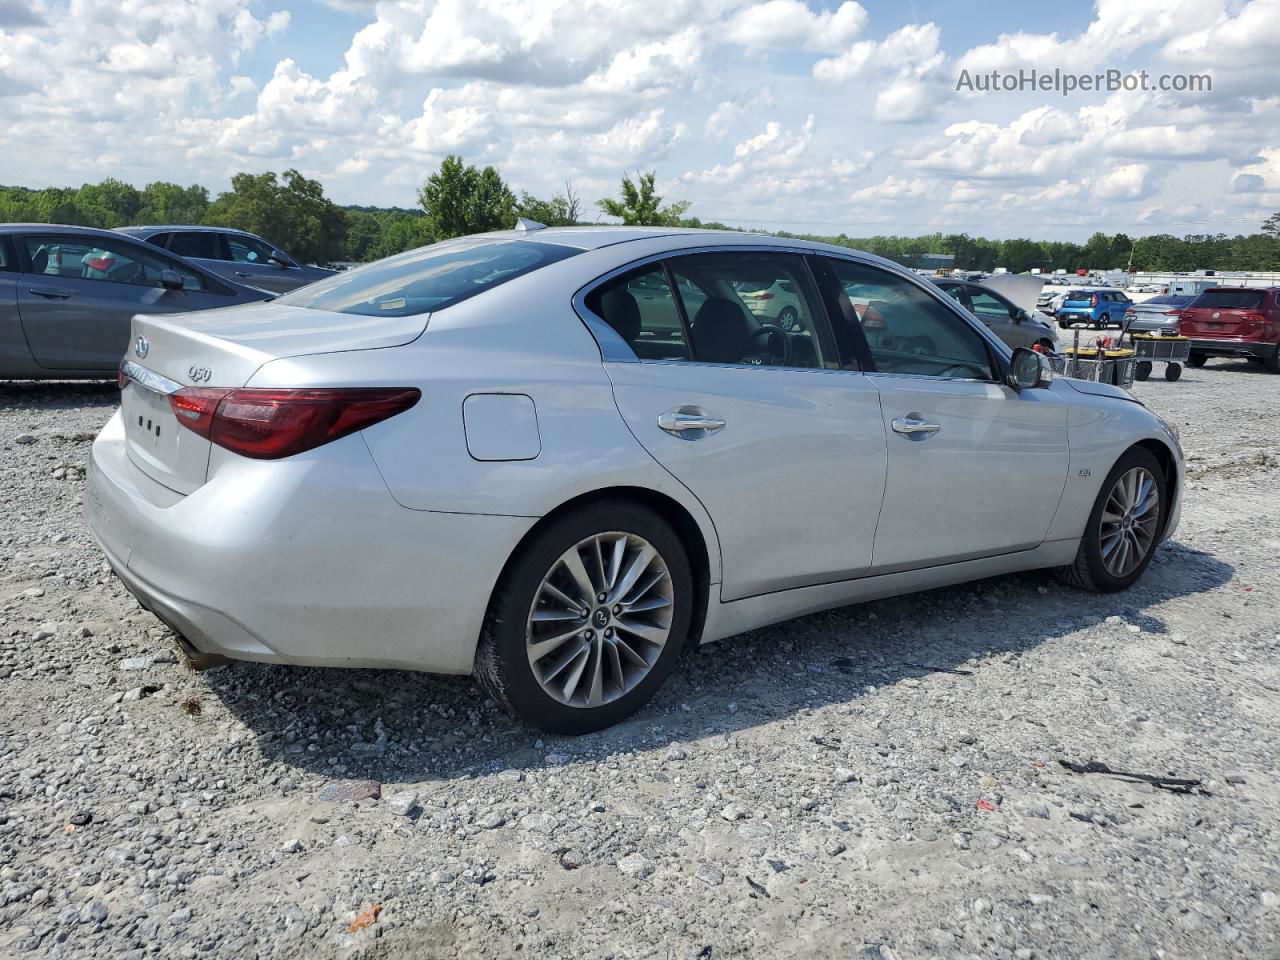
{"x": 223, "y": 349}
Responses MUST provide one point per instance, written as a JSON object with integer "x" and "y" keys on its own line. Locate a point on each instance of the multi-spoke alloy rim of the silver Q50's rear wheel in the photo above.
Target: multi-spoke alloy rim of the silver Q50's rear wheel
{"x": 600, "y": 620}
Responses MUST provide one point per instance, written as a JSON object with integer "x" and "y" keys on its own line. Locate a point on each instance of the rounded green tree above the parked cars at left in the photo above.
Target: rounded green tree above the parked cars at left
{"x": 295, "y": 216}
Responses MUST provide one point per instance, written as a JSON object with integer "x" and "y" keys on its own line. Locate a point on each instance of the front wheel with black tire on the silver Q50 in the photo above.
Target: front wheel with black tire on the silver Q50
{"x": 1098, "y": 572}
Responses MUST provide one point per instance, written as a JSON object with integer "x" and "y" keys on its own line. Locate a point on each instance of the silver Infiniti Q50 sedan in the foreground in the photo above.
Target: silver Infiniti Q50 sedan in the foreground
{"x": 486, "y": 458}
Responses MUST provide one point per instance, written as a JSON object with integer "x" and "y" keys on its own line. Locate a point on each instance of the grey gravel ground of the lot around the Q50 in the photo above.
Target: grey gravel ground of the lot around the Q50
{"x": 881, "y": 781}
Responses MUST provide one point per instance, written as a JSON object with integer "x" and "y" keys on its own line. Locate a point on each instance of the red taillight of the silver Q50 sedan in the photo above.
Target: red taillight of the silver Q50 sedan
{"x": 271, "y": 424}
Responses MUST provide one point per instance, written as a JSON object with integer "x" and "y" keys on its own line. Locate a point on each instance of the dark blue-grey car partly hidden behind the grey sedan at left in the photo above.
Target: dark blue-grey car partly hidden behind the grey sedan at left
{"x": 235, "y": 255}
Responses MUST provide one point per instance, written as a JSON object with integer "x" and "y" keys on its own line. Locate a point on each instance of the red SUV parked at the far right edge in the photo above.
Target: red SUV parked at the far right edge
{"x": 1235, "y": 322}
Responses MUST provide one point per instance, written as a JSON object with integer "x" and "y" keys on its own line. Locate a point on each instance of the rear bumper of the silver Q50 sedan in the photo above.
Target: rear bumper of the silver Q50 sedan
{"x": 304, "y": 561}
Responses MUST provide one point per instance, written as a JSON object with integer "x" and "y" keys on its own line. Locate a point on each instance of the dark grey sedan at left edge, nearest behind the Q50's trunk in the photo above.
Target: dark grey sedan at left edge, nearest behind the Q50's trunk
{"x": 68, "y": 294}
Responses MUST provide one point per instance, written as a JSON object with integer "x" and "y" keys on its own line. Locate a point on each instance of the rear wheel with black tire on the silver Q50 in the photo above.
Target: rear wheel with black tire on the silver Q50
{"x": 618, "y": 660}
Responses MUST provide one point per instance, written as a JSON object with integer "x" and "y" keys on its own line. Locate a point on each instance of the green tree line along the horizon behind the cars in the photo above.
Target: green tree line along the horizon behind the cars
{"x": 459, "y": 199}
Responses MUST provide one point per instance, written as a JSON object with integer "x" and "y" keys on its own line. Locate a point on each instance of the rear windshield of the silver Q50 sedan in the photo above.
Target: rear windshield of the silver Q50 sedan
{"x": 427, "y": 280}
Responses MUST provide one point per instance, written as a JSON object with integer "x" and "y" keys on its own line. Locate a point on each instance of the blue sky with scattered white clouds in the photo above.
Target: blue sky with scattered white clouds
{"x": 810, "y": 116}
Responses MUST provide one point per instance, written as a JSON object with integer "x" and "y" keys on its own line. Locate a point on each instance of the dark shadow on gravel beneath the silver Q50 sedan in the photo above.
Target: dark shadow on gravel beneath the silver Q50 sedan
{"x": 403, "y": 728}
